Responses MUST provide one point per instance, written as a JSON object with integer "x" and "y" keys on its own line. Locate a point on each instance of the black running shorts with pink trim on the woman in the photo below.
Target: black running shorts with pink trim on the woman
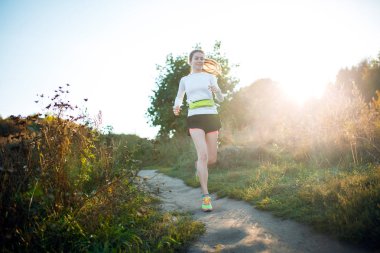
{"x": 207, "y": 122}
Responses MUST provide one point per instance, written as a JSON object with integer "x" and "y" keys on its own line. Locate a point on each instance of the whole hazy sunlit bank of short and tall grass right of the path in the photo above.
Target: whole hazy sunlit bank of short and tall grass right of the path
{"x": 318, "y": 164}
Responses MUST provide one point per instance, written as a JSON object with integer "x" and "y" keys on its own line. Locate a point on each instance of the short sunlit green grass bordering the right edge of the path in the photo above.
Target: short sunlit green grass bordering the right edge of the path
{"x": 341, "y": 201}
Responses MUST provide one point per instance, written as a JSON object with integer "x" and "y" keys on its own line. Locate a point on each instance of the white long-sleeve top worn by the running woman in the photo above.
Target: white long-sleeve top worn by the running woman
{"x": 196, "y": 87}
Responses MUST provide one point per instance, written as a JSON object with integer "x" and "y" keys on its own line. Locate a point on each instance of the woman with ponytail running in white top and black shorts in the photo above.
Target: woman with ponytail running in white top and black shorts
{"x": 203, "y": 120}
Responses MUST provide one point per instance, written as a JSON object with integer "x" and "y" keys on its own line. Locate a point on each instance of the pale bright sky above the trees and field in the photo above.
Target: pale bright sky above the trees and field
{"x": 108, "y": 50}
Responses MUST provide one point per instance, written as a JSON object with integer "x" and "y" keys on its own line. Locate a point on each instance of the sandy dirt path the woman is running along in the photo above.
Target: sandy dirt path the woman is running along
{"x": 235, "y": 226}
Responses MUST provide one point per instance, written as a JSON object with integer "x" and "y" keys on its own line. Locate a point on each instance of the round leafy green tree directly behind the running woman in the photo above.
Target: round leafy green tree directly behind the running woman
{"x": 160, "y": 110}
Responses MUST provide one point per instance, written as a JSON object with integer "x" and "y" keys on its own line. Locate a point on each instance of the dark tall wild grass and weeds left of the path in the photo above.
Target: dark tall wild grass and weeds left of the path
{"x": 67, "y": 187}
